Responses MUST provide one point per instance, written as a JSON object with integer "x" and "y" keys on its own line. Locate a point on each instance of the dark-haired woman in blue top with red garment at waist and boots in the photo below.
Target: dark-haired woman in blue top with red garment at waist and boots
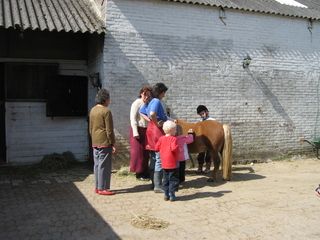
{"x": 156, "y": 114}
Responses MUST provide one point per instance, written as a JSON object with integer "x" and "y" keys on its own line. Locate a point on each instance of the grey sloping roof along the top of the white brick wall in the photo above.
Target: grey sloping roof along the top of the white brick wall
{"x": 265, "y": 6}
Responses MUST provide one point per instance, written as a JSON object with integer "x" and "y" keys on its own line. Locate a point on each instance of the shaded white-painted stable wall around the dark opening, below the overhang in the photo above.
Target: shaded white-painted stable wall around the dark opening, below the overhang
{"x": 30, "y": 134}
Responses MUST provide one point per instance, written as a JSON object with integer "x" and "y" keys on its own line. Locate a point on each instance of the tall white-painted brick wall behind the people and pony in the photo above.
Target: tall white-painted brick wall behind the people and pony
{"x": 270, "y": 105}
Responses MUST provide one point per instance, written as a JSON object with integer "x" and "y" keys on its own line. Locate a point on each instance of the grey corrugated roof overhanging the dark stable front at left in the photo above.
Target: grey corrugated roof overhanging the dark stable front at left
{"x": 51, "y": 15}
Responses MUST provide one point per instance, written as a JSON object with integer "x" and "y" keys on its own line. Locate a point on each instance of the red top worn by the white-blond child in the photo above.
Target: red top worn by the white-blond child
{"x": 169, "y": 150}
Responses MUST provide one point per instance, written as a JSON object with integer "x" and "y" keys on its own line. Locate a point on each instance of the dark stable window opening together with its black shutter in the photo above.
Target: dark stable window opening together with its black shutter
{"x": 65, "y": 95}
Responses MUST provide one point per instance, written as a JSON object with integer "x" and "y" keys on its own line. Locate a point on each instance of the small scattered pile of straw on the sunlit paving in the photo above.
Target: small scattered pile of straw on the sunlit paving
{"x": 147, "y": 222}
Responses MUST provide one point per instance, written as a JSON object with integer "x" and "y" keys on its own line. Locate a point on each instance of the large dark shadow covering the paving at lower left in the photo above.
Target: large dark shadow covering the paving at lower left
{"x": 34, "y": 207}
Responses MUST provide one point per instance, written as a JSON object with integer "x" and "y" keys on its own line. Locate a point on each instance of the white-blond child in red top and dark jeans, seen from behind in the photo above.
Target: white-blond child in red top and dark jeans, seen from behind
{"x": 168, "y": 147}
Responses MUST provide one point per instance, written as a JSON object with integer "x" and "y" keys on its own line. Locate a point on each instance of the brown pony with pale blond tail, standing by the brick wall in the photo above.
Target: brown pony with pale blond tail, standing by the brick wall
{"x": 212, "y": 136}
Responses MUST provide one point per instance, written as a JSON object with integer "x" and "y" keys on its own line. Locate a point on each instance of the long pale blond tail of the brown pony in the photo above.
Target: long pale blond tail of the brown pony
{"x": 227, "y": 153}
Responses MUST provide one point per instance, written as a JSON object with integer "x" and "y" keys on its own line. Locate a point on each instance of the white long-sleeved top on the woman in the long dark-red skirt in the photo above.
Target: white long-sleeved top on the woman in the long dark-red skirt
{"x": 135, "y": 118}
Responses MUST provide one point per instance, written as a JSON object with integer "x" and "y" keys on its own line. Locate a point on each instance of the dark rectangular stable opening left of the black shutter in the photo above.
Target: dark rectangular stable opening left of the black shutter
{"x": 28, "y": 81}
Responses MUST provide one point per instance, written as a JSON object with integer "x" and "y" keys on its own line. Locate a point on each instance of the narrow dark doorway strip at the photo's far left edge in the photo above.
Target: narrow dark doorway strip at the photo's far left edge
{"x": 2, "y": 117}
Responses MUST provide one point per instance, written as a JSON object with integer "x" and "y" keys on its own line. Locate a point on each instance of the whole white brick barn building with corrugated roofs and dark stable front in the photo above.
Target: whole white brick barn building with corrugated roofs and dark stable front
{"x": 253, "y": 63}
